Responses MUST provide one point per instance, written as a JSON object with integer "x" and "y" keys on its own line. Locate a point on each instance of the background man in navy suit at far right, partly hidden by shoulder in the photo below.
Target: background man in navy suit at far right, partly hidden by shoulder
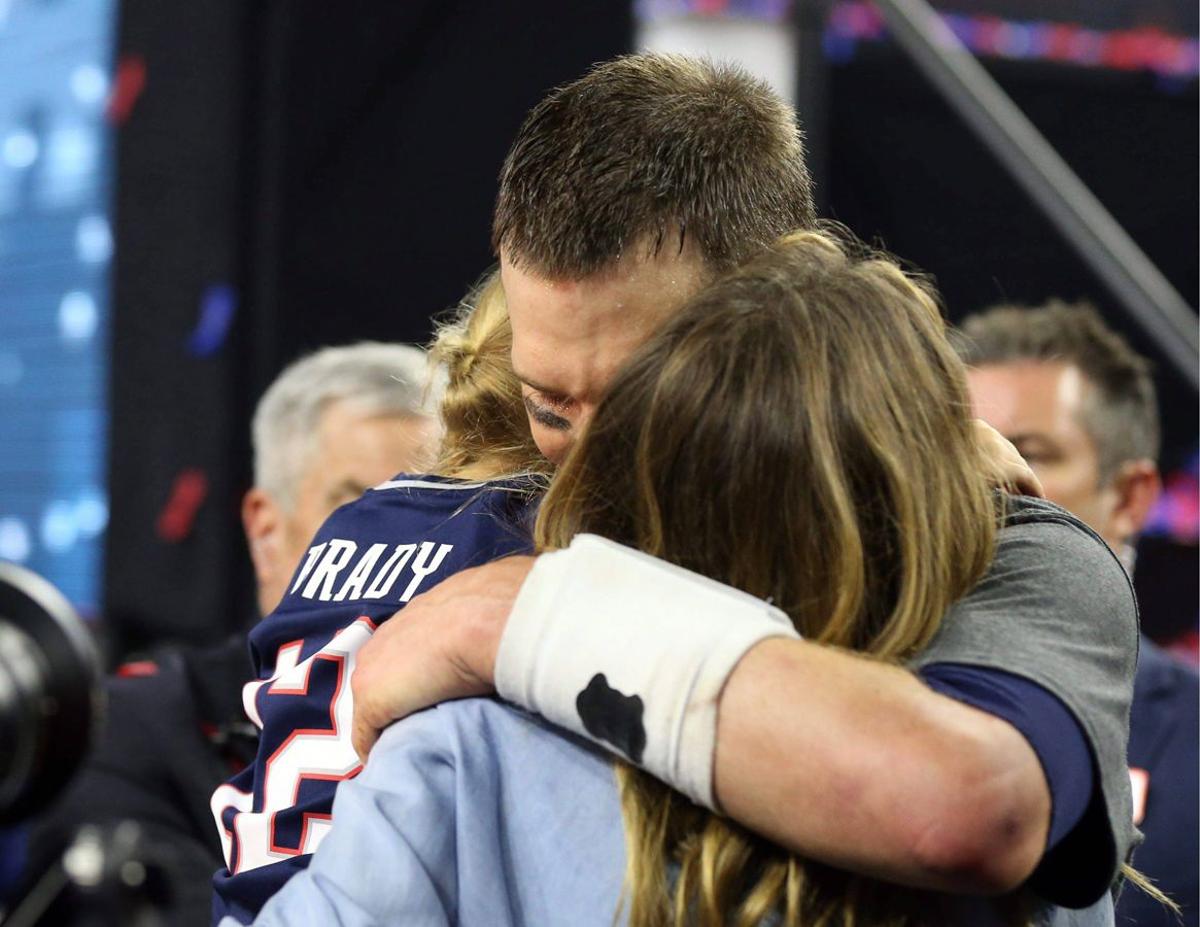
{"x": 1079, "y": 405}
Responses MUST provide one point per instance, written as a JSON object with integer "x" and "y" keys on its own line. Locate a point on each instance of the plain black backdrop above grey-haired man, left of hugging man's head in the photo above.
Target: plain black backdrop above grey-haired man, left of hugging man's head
{"x": 387, "y": 135}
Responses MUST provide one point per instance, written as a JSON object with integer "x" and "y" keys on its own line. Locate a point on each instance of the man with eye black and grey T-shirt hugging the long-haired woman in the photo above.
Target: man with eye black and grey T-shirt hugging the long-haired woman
{"x": 622, "y": 195}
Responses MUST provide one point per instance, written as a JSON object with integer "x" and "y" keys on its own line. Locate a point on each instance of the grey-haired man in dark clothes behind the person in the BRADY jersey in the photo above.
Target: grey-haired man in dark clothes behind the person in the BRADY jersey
{"x": 332, "y": 426}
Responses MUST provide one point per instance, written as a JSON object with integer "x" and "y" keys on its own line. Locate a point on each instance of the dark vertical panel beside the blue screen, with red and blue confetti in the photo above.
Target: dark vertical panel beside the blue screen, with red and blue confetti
{"x": 173, "y": 548}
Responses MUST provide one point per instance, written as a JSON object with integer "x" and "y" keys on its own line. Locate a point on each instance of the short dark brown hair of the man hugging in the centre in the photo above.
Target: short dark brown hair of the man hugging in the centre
{"x": 653, "y": 146}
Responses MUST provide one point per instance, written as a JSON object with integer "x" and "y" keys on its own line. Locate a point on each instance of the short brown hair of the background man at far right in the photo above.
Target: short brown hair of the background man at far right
{"x": 1120, "y": 415}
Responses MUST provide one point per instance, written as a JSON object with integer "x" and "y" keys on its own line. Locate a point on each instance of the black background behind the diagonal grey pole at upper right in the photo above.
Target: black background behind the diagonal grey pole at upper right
{"x": 904, "y": 170}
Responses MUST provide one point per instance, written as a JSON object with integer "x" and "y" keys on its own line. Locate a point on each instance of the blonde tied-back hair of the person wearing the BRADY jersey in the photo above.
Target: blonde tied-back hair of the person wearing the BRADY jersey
{"x": 485, "y": 428}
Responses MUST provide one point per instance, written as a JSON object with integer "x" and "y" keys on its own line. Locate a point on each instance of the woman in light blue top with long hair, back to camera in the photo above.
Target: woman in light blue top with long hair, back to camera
{"x": 800, "y": 432}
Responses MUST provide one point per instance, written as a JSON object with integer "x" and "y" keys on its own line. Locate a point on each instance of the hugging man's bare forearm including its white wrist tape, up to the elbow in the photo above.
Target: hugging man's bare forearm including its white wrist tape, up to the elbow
{"x": 842, "y": 758}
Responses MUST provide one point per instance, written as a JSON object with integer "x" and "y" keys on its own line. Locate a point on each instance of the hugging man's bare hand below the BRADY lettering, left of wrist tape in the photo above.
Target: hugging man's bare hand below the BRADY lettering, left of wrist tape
{"x": 441, "y": 647}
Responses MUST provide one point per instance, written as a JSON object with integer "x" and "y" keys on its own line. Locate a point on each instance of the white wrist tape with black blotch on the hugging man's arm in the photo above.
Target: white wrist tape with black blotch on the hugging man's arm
{"x": 632, "y": 653}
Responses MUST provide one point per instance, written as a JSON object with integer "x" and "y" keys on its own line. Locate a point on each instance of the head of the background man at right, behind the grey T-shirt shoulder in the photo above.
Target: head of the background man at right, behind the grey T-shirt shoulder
{"x": 1077, "y": 402}
